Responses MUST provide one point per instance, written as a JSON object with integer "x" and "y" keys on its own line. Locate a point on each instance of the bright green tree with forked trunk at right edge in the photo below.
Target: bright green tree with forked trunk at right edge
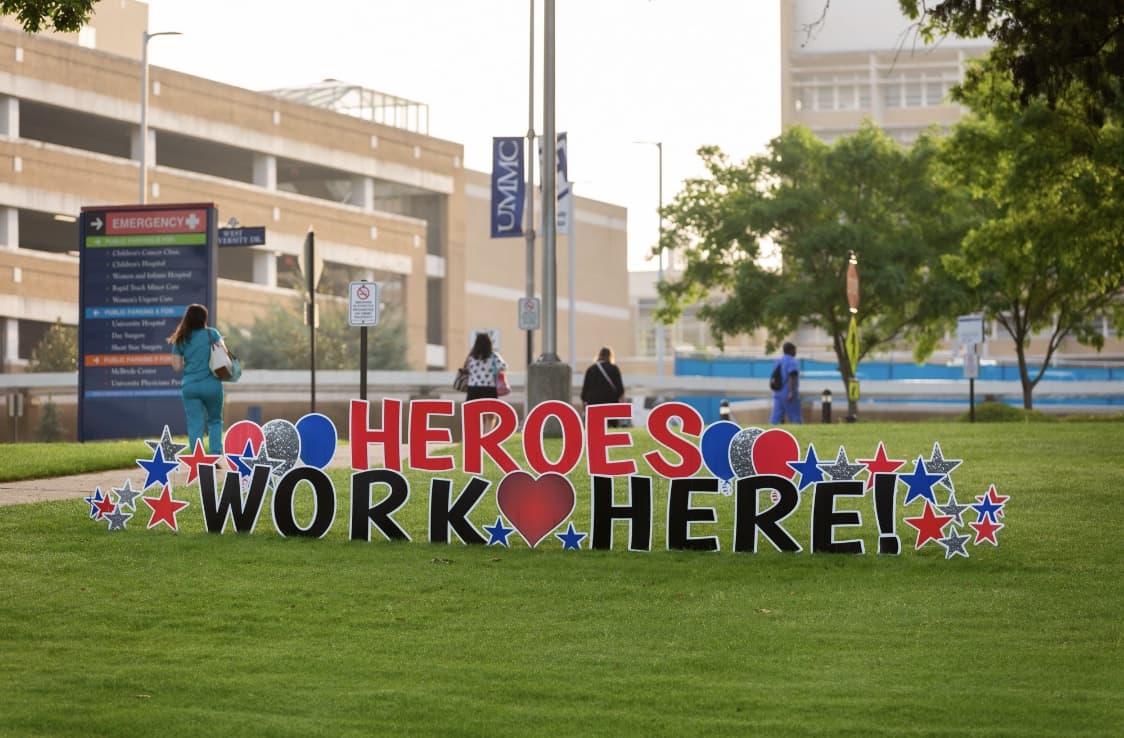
{"x": 1046, "y": 254}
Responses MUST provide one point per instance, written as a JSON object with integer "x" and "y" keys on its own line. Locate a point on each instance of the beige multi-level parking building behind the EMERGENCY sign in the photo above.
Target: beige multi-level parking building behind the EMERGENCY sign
{"x": 387, "y": 202}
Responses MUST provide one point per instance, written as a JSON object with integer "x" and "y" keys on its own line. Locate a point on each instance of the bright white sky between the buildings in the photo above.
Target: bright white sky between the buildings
{"x": 682, "y": 72}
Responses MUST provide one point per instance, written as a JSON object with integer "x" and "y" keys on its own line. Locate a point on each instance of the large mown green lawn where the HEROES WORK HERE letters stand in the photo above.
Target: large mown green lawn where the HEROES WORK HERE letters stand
{"x": 153, "y": 633}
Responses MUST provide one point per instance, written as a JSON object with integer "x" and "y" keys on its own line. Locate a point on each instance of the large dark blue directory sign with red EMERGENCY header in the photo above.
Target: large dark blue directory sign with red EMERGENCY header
{"x": 140, "y": 268}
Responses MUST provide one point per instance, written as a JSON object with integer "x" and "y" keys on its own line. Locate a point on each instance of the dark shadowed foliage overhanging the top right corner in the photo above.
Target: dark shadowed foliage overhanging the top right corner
{"x": 1048, "y": 47}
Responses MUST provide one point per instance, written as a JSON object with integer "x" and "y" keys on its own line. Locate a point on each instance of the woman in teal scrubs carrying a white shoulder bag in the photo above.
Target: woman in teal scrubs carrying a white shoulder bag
{"x": 202, "y": 391}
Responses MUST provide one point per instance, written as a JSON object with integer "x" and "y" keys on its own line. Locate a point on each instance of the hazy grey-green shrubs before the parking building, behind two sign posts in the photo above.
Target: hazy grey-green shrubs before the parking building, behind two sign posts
{"x": 280, "y": 341}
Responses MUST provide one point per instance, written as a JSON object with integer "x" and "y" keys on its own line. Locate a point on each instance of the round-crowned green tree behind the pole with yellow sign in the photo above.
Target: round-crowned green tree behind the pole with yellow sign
{"x": 820, "y": 204}
